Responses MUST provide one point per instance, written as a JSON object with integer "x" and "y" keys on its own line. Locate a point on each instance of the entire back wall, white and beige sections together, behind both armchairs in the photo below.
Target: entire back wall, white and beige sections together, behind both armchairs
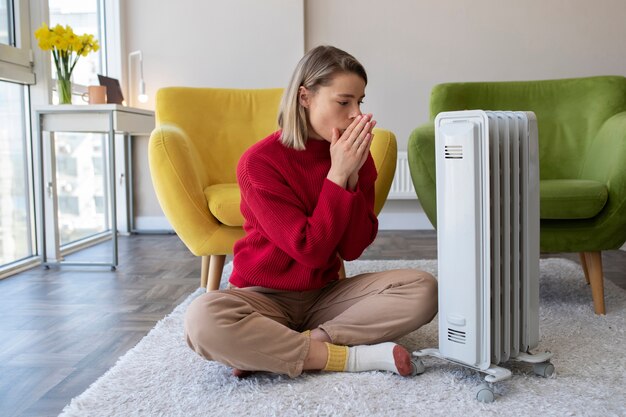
{"x": 407, "y": 46}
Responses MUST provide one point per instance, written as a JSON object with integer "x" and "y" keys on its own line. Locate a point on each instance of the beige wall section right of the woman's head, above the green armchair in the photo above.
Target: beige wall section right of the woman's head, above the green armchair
{"x": 408, "y": 46}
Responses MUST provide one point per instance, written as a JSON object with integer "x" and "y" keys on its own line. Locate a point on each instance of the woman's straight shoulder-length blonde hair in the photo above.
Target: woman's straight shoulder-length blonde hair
{"x": 316, "y": 69}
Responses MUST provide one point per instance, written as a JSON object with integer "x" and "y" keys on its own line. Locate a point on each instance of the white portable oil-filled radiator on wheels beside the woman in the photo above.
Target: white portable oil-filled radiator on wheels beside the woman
{"x": 488, "y": 243}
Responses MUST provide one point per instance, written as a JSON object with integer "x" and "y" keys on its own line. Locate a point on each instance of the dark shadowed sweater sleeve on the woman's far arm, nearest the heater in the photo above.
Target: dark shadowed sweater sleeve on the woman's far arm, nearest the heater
{"x": 363, "y": 225}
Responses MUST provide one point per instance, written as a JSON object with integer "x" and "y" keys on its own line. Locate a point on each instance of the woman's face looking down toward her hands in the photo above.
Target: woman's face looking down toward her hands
{"x": 333, "y": 106}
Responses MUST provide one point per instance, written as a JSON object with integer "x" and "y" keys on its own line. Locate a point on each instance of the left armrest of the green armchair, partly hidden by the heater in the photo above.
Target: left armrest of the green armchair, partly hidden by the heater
{"x": 421, "y": 154}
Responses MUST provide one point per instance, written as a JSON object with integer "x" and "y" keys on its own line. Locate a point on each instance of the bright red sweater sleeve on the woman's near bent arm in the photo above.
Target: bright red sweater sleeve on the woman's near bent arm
{"x": 309, "y": 238}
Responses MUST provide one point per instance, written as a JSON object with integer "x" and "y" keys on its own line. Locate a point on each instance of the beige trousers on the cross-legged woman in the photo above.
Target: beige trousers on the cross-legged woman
{"x": 259, "y": 329}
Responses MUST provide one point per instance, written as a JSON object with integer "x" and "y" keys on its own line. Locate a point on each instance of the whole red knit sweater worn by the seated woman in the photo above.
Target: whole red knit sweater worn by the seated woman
{"x": 297, "y": 222}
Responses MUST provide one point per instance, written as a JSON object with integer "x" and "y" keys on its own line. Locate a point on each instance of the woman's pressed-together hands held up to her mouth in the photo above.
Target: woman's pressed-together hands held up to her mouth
{"x": 349, "y": 151}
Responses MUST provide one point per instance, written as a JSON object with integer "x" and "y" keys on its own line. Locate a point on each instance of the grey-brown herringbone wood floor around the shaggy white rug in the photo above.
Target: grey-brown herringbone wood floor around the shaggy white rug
{"x": 60, "y": 329}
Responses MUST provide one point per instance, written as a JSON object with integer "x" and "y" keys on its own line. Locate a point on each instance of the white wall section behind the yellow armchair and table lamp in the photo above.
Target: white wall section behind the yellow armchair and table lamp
{"x": 209, "y": 43}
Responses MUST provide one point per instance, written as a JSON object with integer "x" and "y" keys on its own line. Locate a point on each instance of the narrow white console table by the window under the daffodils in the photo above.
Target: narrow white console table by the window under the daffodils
{"x": 111, "y": 119}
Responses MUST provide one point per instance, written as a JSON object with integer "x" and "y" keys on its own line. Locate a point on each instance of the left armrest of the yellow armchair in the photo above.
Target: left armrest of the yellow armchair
{"x": 178, "y": 178}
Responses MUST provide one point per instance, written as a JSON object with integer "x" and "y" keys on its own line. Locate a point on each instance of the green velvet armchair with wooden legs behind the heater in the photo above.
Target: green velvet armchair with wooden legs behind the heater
{"x": 582, "y": 156}
